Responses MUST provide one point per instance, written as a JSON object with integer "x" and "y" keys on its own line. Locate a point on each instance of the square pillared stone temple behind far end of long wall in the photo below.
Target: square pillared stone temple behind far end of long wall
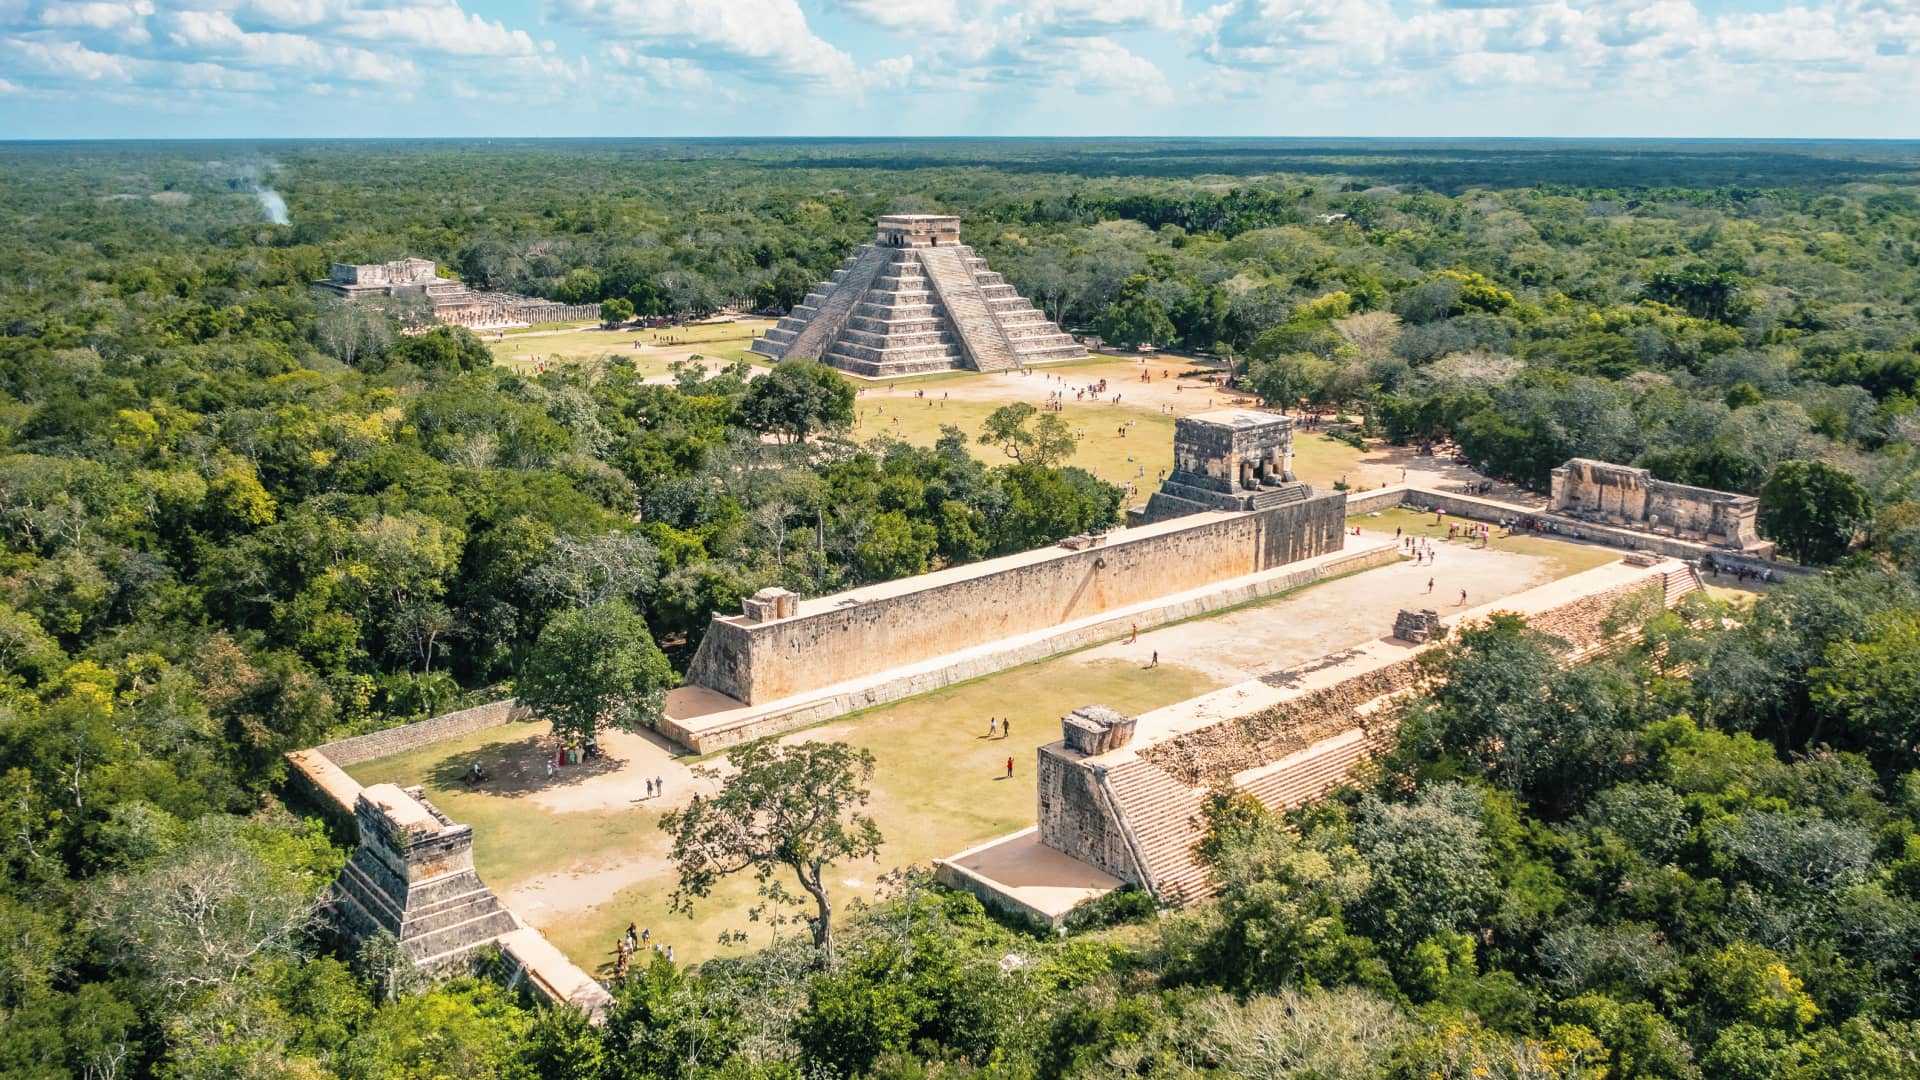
{"x": 1228, "y": 460}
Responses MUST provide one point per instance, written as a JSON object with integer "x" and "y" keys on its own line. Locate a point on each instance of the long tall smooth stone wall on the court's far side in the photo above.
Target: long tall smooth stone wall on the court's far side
{"x": 875, "y": 629}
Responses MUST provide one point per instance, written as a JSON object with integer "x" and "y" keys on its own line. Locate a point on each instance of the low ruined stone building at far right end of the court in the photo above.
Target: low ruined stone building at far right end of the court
{"x": 1633, "y": 499}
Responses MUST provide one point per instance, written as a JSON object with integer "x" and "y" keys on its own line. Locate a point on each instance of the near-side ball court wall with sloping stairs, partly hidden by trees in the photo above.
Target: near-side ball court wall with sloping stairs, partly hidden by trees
{"x": 1124, "y": 797}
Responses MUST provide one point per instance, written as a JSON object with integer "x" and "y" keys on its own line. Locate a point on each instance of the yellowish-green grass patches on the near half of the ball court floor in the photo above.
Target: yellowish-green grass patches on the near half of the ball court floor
{"x": 938, "y": 791}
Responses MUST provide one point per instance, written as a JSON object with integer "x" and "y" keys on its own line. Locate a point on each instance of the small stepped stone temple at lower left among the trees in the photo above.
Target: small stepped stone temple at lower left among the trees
{"x": 414, "y": 877}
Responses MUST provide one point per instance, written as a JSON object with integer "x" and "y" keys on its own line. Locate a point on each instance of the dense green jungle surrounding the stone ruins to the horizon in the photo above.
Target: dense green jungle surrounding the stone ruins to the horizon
{"x": 237, "y": 520}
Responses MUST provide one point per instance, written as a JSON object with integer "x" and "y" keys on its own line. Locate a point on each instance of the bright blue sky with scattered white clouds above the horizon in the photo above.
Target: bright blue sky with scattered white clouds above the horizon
{"x": 629, "y": 68}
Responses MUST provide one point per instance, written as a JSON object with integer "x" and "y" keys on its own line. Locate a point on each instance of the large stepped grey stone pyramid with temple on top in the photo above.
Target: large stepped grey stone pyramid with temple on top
{"x": 917, "y": 301}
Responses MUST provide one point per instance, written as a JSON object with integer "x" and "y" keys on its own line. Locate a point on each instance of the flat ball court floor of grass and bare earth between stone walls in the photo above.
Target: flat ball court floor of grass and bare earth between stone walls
{"x": 581, "y": 854}
